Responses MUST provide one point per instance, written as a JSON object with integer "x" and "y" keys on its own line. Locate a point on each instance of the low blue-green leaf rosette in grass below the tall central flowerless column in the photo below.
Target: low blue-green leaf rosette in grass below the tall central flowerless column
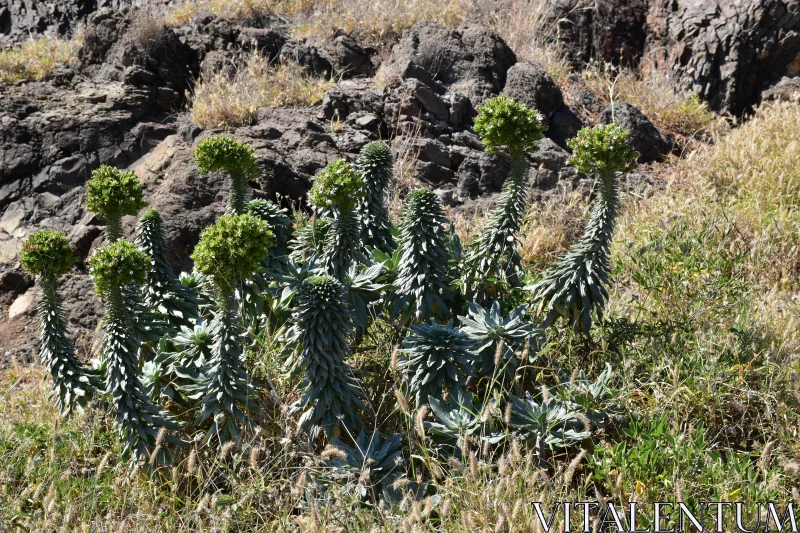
{"x": 374, "y": 464}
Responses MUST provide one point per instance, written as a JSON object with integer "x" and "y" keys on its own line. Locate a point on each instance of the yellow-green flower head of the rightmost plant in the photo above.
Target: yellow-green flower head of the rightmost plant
{"x": 602, "y": 150}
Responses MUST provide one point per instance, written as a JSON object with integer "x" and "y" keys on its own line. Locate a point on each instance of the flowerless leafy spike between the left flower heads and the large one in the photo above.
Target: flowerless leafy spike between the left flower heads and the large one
{"x": 163, "y": 292}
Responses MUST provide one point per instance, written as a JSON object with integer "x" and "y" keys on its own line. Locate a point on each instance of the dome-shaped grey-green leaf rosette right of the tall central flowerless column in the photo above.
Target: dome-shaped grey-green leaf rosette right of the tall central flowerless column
{"x": 437, "y": 358}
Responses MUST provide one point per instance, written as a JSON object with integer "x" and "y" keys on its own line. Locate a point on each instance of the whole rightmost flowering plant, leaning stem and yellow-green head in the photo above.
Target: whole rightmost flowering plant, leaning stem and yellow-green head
{"x": 575, "y": 287}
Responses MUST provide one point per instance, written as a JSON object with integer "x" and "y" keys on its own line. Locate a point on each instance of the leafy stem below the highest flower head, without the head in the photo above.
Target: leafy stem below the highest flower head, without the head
{"x": 494, "y": 255}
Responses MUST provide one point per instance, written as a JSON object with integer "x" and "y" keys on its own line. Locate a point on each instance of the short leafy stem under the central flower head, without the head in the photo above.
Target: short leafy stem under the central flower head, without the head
{"x": 342, "y": 245}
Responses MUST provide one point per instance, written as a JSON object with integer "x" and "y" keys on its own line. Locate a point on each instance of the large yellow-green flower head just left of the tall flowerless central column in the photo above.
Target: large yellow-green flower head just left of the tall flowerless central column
{"x": 233, "y": 247}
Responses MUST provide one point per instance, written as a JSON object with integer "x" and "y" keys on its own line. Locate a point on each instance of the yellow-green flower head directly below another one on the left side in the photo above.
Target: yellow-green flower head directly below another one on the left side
{"x": 116, "y": 265}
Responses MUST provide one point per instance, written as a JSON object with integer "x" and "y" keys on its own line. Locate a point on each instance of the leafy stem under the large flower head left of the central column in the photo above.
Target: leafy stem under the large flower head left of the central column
{"x": 229, "y": 393}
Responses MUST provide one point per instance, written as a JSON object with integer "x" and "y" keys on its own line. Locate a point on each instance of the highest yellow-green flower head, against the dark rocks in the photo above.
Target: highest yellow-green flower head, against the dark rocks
{"x": 504, "y": 124}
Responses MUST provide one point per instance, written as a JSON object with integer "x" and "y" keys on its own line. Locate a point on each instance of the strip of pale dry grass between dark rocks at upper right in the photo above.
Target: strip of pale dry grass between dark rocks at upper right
{"x": 656, "y": 98}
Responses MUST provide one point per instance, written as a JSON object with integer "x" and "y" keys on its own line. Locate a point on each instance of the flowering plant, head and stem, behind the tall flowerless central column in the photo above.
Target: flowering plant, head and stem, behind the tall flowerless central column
{"x": 340, "y": 186}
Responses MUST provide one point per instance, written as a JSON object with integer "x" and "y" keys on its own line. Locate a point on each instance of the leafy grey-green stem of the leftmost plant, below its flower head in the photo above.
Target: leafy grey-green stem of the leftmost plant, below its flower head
{"x": 73, "y": 384}
